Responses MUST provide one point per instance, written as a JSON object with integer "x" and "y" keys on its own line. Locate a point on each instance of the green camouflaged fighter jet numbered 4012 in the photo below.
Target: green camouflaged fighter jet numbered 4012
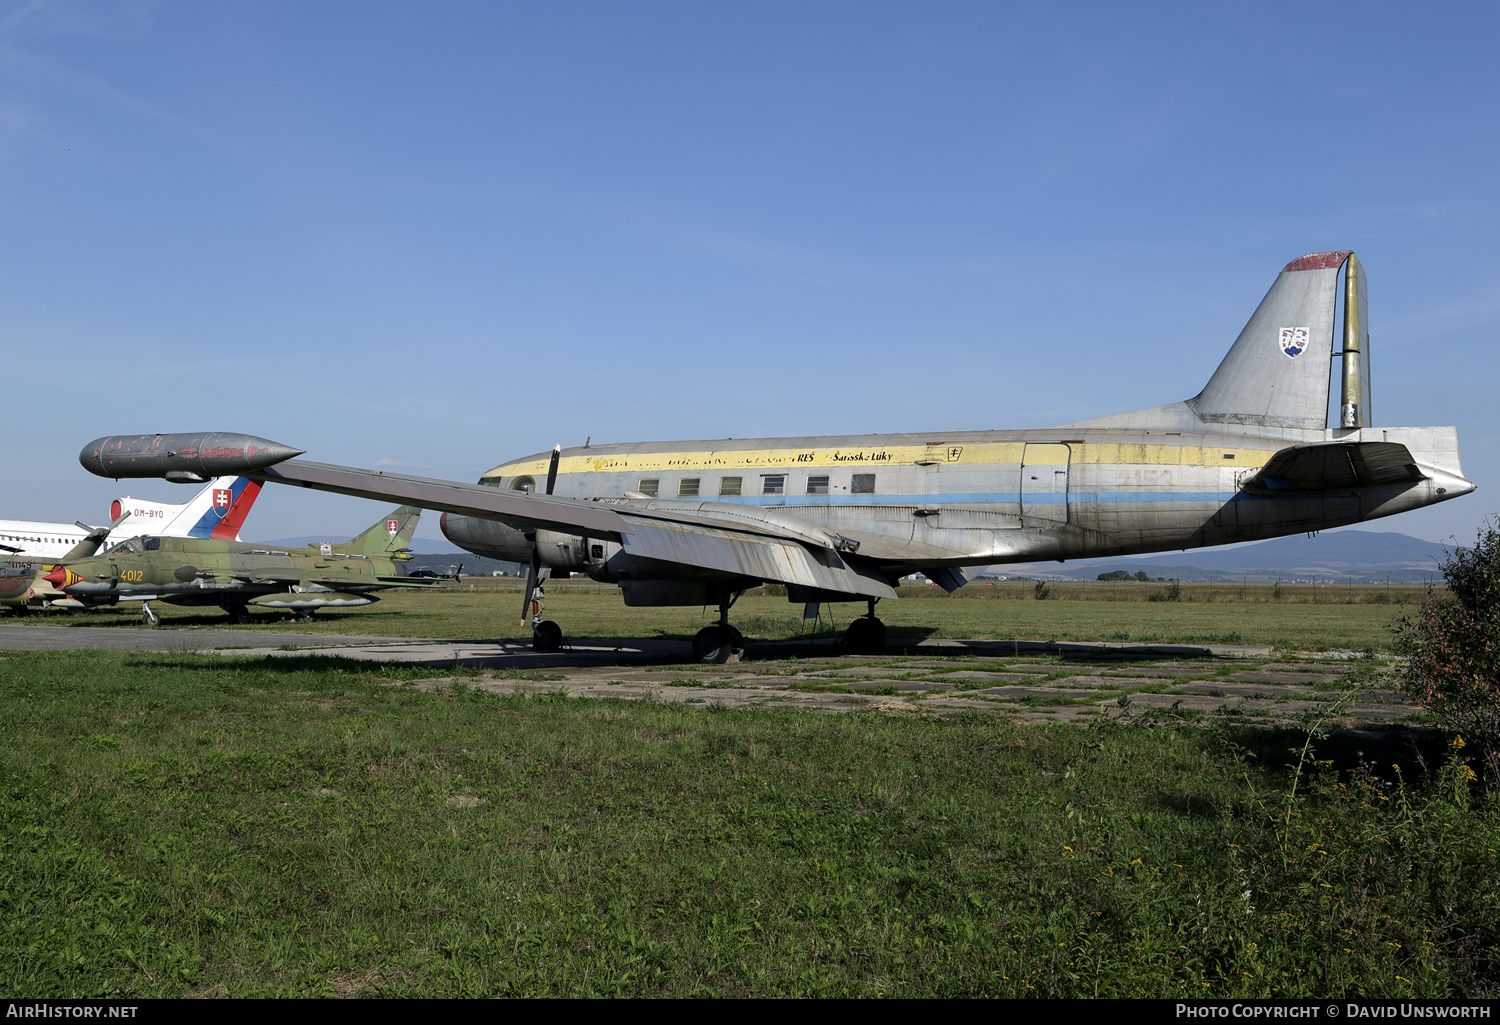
{"x": 235, "y": 576}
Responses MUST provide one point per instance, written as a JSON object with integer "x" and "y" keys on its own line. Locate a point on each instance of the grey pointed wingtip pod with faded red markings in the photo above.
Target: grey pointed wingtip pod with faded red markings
{"x": 182, "y": 457}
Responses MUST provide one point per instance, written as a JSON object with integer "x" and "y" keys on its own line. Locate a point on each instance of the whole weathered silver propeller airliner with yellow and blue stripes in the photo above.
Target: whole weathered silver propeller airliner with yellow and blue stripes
{"x": 844, "y": 519}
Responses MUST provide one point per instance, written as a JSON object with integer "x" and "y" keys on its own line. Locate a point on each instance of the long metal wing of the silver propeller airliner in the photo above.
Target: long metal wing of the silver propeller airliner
{"x": 784, "y": 553}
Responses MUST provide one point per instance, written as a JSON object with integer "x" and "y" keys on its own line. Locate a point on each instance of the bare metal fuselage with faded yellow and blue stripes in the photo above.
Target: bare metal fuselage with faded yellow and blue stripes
{"x": 980, "y": 497}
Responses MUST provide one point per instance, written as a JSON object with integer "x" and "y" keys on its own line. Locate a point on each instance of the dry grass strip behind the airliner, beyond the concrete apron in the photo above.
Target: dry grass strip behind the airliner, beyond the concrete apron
{"x": 599, "y": 613}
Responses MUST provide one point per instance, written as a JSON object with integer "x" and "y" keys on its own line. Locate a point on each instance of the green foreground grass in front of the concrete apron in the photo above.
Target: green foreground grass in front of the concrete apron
{"x": 191, "y": 825}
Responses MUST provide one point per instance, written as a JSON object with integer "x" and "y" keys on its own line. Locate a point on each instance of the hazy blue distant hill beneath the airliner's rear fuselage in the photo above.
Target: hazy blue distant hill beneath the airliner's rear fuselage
{"x": 1360, "y": 555}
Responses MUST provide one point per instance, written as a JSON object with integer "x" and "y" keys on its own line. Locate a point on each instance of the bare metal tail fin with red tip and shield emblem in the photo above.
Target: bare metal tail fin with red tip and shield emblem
{"x": 1277, "y": 373}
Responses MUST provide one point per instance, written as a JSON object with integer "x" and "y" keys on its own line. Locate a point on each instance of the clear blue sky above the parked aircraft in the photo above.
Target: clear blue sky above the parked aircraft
{"x": 440, "y": 236}
